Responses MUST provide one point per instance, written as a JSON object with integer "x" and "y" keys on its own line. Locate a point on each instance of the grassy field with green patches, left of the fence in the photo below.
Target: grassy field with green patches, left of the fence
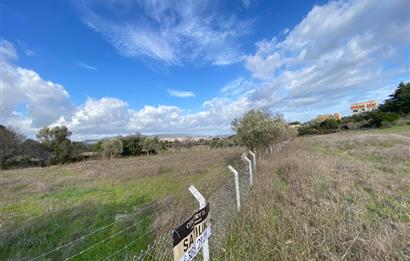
{"x": 43, "y": 208}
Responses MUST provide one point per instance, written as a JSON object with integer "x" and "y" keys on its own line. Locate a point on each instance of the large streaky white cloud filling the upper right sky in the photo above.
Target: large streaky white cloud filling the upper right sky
{"x": 340, "y": 49}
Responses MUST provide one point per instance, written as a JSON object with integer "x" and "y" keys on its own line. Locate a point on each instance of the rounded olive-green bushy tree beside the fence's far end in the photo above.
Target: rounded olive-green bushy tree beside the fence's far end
{"x": 259, "y": 128}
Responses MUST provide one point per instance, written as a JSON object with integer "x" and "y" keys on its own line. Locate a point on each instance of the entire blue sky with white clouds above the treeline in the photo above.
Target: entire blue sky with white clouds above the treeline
{"x": 117, "y": 67}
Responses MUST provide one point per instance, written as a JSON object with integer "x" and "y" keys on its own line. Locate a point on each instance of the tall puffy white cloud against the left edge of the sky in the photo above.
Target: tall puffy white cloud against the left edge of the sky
{"x": 44, "y": 101}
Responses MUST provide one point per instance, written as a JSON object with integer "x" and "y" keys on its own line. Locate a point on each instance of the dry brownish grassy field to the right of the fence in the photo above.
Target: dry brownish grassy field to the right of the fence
{"x": 344, "y": 196}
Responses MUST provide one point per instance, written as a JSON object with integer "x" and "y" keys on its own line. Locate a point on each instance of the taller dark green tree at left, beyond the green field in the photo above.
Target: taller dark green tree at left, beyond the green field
{"x": 57, "y": 140}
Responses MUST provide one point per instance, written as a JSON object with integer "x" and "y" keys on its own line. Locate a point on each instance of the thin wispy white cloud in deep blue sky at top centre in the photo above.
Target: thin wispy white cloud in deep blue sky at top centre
{"x": 171, "y": 32}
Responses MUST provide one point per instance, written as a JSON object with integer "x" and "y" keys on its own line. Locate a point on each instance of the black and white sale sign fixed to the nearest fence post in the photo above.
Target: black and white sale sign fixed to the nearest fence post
{"x": 190, "y": 236}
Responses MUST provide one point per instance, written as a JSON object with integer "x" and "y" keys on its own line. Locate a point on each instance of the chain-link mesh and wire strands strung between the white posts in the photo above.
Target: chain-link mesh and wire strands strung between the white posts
{"x": 223, "y": 211}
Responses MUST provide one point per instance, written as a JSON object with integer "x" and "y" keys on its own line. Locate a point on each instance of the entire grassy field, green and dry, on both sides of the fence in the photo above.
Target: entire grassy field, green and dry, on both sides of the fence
{"x": 344, "y": 196}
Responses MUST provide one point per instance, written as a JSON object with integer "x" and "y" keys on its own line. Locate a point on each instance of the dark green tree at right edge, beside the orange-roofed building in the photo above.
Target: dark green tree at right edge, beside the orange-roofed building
{"x": 399, "y": 101}
